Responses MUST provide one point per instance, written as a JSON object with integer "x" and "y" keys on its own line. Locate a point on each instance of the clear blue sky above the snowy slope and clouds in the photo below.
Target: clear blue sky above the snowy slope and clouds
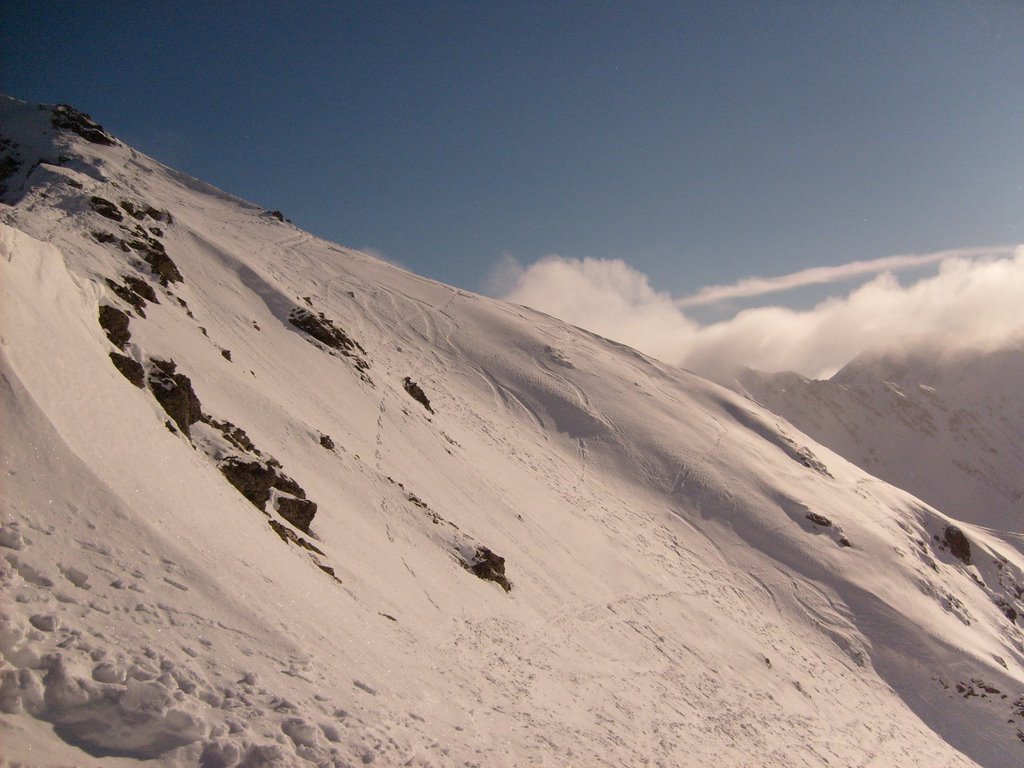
{"x": 701, "y": 143}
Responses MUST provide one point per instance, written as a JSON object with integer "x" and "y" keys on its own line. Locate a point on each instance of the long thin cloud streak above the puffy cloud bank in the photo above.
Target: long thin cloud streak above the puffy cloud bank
{"x": 750, "y": 287}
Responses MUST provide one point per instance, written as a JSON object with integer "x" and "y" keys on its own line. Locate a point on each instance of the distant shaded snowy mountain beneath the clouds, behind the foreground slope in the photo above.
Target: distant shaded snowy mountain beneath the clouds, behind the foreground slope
{"x": 947, "y": 426}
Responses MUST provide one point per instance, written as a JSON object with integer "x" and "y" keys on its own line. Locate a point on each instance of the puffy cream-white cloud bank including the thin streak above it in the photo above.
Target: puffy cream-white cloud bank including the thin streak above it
{"x": 976, "y": 300}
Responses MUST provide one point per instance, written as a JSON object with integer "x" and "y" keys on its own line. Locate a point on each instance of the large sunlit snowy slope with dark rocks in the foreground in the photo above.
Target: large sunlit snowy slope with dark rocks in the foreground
{"x": 269, "y": 501}
